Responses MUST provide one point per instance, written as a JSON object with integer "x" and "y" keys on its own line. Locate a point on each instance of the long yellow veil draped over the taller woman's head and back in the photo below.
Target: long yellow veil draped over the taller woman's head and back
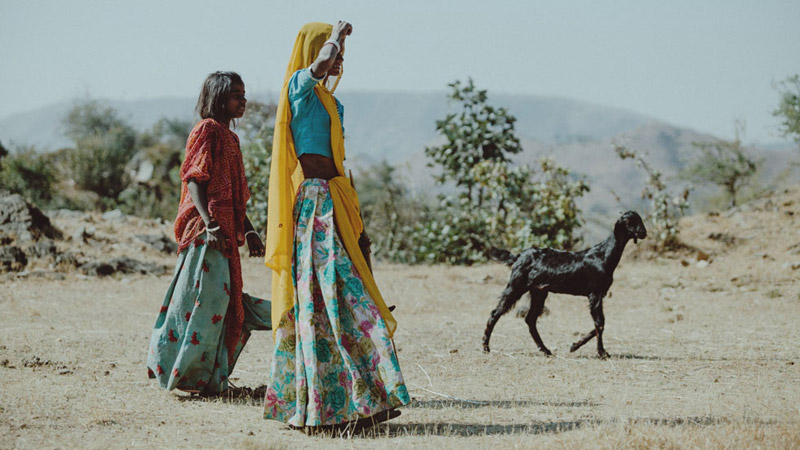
{"x": 286, "y": 175}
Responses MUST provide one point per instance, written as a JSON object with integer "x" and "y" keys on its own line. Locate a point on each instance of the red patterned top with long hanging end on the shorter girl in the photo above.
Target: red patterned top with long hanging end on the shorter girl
{"x": 213, "y": 156}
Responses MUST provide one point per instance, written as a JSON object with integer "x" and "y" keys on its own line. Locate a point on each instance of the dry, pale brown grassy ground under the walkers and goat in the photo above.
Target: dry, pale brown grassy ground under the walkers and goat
{"x": 701, "y": 357}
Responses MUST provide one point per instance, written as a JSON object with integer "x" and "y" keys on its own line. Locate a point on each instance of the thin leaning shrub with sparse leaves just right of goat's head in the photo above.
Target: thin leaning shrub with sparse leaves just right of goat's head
{"x": 666, "y": 209}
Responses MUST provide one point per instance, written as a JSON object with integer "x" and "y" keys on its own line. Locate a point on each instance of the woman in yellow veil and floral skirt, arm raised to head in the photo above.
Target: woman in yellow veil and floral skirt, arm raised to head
{"x": 334, "y": 361}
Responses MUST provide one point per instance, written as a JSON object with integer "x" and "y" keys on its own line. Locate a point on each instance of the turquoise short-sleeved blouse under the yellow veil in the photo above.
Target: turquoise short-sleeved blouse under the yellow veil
{"x": 311, "y": 125}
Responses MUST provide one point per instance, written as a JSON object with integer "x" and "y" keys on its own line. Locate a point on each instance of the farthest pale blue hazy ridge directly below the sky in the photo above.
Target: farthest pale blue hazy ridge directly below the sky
{"x": 379, "y": 125}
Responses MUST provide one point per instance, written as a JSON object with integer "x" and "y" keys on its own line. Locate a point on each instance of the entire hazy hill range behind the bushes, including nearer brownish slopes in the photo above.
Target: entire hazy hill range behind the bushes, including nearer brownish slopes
{"x": 397, "y": 126}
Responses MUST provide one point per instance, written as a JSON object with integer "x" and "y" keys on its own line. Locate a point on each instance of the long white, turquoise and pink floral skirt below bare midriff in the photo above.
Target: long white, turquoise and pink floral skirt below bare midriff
{"x": 334, "y": 361}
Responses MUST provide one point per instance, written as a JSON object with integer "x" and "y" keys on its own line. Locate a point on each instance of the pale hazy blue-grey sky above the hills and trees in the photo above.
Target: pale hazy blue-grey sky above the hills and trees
{"x": 699, "y": 64}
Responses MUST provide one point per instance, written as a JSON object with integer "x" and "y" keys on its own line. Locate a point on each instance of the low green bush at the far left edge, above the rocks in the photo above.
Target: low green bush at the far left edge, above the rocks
{"x": 28, "y": 173}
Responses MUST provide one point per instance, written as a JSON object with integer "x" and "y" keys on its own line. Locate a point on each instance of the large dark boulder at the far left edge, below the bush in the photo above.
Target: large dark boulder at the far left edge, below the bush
{"x": 24, "y": 221}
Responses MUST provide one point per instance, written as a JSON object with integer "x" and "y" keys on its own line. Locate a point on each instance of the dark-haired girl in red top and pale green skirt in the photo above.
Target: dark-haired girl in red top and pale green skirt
{"x": 205, "y": 319}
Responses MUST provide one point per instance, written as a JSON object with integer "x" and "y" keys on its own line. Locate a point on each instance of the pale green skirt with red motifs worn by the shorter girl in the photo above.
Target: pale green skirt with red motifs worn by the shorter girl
{"x": 187, "y": 348}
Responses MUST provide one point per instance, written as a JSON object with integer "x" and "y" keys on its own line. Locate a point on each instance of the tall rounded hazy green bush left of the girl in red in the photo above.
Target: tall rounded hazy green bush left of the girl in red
{"x": 104, "y": 143}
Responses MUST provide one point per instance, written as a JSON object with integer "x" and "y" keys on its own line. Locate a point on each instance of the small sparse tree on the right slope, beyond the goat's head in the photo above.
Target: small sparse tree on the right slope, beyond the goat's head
{"x": 724, "y": 163}
